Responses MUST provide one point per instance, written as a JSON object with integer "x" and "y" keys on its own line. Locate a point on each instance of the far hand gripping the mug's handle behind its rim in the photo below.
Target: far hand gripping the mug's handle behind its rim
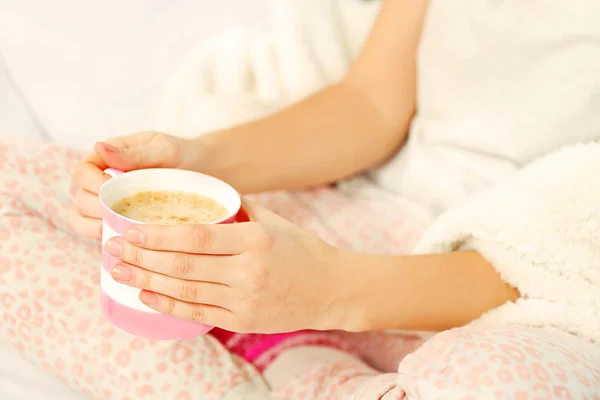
{"x": 127, "y": 153}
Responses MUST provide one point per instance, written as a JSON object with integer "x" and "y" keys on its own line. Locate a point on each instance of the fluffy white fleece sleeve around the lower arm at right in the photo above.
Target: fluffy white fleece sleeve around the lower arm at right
{"x": 541, "y": 231}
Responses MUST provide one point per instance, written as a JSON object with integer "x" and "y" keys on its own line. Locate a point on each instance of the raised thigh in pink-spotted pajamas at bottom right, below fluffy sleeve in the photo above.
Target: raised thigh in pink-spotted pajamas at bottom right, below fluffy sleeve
{"x": 504, "y": 362}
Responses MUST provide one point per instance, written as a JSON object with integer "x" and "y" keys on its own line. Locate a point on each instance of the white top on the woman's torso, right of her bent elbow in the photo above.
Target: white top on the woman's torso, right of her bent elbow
{"x": 500, "y": 84}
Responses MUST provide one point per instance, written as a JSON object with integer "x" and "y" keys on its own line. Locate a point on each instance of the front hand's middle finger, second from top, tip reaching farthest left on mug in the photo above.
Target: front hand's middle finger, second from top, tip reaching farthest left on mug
{"x": 187, "y": 266}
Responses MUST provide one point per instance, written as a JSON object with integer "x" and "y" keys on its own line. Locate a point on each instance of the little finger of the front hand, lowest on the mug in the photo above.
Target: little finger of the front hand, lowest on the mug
{"x": 206, "y": 314}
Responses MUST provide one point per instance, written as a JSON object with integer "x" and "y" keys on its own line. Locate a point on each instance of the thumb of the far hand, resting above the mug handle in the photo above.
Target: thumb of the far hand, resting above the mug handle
{"x": 128, "y": 158}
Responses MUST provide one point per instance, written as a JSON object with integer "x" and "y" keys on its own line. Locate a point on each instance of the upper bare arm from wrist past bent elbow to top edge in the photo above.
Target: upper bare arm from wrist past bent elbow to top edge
{"x": 345, "y": 129}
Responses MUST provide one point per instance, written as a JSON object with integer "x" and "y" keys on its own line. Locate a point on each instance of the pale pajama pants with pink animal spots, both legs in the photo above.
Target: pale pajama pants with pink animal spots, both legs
{"x": 49, "y": 280}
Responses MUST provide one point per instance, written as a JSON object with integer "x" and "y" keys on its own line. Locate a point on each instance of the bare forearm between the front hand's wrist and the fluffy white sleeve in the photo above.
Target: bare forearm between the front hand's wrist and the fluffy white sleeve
{"x": 422, "y": 292}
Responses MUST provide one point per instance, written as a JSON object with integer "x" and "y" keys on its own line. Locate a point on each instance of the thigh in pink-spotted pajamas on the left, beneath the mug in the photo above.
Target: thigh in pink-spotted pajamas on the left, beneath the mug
{"x": 49, "y": 297}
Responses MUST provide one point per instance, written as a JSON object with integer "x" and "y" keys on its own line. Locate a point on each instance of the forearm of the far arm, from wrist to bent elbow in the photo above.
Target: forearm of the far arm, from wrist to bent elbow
{"x": 334, "y": 134}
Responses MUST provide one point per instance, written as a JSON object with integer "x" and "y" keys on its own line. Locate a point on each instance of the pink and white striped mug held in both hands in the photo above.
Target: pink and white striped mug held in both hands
{"x": 120, "y": 303}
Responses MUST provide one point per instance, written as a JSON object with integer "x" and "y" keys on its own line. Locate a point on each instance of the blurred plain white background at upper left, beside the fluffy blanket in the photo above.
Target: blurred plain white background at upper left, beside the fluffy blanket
{"x": 73, "y": 70}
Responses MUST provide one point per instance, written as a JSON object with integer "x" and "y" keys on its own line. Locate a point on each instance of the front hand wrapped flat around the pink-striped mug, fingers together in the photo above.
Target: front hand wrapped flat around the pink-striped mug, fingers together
{"x": 265, "y": 276}
